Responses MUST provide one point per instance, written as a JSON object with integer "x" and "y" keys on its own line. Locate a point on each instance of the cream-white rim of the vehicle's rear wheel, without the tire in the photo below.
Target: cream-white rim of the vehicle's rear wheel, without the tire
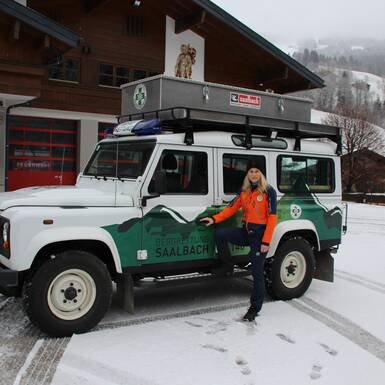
{"x": 293, "y": 269}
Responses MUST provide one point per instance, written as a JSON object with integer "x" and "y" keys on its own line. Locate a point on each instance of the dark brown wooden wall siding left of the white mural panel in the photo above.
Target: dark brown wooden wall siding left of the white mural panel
{"x": 105, "y": 33}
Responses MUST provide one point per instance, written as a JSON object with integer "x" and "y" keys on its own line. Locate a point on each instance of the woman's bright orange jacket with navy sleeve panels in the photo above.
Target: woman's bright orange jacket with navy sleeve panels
{"x": 259, "y": 208}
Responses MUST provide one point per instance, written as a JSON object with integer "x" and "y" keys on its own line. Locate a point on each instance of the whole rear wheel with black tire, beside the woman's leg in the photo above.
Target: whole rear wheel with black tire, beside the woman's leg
{"x": 291, "y": 270}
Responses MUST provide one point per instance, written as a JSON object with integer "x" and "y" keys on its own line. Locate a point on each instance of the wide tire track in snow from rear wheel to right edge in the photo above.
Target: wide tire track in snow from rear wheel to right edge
{"x": 341, "y": 325}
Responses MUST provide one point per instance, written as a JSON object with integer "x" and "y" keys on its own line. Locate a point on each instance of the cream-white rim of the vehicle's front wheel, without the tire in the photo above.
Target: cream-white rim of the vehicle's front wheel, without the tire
{"x": 71, "y": 294}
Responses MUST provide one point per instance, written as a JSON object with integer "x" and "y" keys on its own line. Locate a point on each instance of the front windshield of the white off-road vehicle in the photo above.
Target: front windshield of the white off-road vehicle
{"x": 120, "y": 159}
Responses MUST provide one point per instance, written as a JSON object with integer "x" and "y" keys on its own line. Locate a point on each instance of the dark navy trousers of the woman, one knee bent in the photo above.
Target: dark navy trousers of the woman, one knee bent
{"x": 252, "y": 236}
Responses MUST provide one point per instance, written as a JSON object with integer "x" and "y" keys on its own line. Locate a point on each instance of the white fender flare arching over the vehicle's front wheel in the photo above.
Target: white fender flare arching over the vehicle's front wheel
{"x": 47, "y": 237}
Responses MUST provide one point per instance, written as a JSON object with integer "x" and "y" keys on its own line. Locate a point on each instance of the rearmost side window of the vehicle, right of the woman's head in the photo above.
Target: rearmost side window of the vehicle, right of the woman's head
{"x": 298, "y": 174}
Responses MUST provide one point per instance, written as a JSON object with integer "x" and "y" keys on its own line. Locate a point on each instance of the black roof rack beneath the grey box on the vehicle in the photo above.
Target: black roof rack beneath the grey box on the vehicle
{"x": 189, "y": 120}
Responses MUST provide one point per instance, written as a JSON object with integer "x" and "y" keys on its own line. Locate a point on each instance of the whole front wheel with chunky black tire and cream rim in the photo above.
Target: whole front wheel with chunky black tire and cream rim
{"x": 69, "y": 293}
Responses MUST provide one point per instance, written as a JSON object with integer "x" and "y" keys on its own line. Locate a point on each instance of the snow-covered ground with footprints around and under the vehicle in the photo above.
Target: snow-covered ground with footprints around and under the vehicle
{"x": 334, "y": 335}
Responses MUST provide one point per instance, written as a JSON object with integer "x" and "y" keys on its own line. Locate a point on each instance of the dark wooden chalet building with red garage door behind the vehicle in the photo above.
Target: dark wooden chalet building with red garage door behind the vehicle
{"x": 62, "y": 62}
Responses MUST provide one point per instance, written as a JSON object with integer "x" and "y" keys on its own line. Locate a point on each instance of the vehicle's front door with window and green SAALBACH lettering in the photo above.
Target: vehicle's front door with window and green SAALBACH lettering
{"x": 171, "y": 230}
